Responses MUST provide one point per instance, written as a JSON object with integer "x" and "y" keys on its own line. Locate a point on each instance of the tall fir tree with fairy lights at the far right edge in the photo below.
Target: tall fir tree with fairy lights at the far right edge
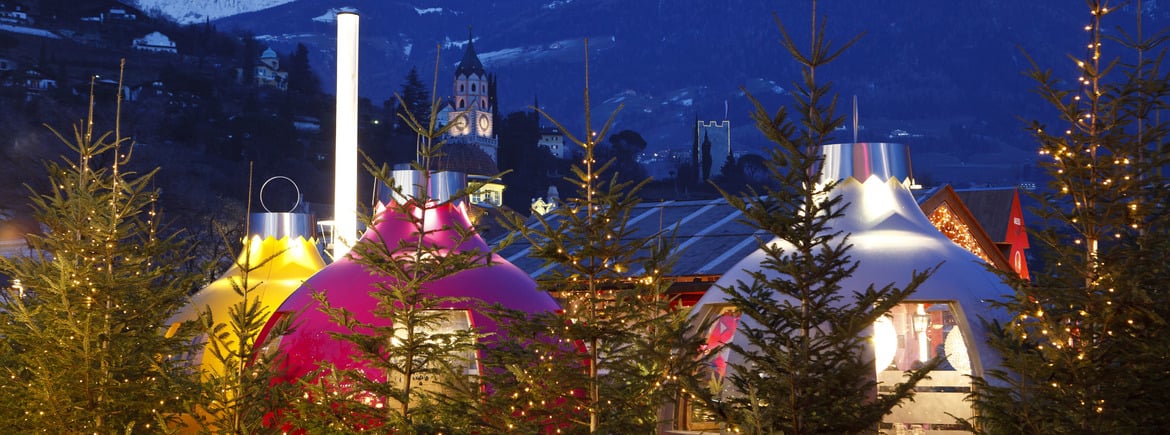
{"x": 1086, "y": 349}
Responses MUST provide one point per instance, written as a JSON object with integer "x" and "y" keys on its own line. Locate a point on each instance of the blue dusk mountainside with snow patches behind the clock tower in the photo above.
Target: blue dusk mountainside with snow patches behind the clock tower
{"x": 949, "y": 73}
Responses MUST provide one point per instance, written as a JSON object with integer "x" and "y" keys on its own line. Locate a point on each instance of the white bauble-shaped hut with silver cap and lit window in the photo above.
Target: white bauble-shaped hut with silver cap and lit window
{"x": 891, "y": 239}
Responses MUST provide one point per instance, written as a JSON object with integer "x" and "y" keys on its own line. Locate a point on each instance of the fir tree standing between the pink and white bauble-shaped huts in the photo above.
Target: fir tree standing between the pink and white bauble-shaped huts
{"x": 614, "y": 358}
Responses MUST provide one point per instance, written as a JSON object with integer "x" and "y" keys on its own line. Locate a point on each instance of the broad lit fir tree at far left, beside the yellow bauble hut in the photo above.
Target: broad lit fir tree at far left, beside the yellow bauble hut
{"x": 85, "y": 347}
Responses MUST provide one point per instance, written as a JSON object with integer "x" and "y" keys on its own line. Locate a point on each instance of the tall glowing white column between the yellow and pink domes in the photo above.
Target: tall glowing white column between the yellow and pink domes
{"x": 346, "y": 184}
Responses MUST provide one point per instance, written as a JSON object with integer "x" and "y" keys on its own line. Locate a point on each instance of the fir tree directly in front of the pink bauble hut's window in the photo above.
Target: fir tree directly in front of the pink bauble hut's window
{"x": 409, "y": 354}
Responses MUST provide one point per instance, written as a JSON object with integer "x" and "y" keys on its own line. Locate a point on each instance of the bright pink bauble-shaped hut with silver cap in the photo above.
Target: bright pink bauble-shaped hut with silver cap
{"x": 348, "y": 285}
